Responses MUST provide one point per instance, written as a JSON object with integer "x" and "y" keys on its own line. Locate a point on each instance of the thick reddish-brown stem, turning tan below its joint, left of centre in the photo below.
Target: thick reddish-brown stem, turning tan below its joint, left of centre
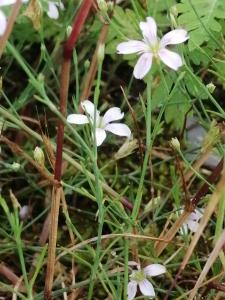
{"x": 56, "y": 192}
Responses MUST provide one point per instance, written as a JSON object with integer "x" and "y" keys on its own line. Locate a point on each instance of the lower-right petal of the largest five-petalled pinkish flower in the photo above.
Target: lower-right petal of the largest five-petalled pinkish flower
{"x": 171, "y": 59}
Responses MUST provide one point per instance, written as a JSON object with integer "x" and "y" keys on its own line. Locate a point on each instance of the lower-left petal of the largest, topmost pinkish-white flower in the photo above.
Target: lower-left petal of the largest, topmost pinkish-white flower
{"x": 143, "y": 65}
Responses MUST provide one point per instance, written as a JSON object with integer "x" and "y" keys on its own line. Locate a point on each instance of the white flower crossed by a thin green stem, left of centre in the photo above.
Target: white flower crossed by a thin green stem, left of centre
{"x": 103, "y": 124}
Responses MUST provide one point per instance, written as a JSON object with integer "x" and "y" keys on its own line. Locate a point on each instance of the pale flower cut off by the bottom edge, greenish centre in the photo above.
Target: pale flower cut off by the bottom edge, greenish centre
{"x": 139, "y": 278}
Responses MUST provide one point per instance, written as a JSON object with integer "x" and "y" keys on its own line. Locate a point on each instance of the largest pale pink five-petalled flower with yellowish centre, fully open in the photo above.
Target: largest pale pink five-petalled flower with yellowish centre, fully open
{"x": 153, "y": 47}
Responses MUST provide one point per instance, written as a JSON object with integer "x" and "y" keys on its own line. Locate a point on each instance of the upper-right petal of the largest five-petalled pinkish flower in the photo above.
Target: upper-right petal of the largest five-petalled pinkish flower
{"x": 173, "y": 37}
